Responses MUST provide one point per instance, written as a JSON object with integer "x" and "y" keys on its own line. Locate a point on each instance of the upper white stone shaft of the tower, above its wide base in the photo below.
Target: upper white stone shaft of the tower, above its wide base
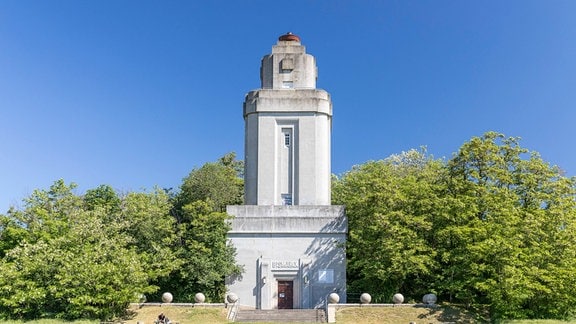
{"x": 288, "y": 124}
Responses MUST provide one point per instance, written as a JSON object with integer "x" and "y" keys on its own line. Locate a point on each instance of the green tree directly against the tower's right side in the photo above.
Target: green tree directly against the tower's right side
{"x": 390, "y": 205}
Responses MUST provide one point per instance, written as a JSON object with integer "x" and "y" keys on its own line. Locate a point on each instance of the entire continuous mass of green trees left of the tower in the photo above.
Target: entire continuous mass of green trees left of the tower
{"x": 75, "y": 256}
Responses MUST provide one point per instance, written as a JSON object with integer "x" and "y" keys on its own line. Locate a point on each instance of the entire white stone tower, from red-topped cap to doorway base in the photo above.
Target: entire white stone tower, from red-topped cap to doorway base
{"x": 287, "y": 235}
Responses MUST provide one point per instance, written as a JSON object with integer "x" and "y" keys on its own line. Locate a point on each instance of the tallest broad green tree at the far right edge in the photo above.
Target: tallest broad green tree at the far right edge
{"x": 508, "y": 239}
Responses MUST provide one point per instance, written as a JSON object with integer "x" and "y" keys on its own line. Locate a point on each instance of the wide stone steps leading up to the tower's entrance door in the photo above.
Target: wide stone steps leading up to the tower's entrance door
{"x": 282, "y": 316}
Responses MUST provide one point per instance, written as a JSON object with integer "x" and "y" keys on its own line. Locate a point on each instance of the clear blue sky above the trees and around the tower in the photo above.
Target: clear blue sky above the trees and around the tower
{"x": 136, "y": 93}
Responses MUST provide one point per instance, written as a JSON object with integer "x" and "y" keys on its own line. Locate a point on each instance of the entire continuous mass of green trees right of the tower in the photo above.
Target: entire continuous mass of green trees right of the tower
{"x": 493, "y": 225}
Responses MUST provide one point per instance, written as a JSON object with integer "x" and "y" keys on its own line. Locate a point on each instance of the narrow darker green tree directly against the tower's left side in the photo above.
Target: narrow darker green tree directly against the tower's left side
{"x": 206, "y": 256}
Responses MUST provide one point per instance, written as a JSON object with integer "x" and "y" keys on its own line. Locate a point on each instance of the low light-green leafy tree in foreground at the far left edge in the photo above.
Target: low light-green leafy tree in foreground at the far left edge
{"x": 86, "y": 273}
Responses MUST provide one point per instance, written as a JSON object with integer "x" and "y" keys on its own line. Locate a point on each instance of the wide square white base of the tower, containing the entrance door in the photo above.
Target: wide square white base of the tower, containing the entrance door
{"x": 293, "y": 256}
